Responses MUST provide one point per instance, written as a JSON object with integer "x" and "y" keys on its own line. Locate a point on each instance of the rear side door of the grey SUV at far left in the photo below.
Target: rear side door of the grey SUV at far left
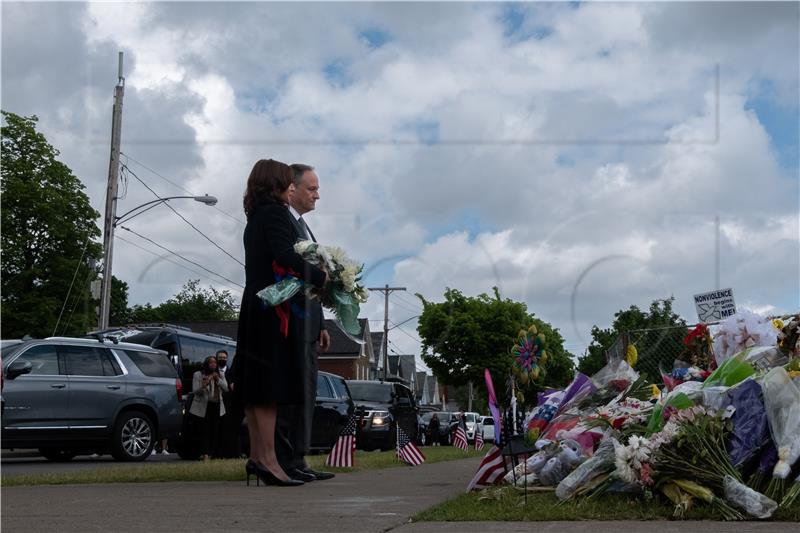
{"x": 96, "y": 388}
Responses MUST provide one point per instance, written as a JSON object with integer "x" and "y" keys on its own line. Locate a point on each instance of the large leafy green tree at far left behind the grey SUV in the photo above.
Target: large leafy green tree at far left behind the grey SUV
{"x": 48, "y": 232}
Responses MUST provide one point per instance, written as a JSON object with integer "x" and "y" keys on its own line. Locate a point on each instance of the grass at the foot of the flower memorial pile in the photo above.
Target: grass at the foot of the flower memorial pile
{"x": 507, "y": 504}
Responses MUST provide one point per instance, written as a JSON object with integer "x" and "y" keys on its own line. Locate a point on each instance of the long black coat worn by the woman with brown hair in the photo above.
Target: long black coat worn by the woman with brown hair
{"x": 267, "y": 367}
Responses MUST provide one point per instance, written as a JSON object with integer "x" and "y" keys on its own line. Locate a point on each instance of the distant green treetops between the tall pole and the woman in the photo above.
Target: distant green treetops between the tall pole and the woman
{"x": 193, "y": 303}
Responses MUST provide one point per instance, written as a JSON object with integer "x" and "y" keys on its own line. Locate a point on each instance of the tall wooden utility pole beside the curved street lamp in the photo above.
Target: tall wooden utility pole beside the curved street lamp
{"x": 111, "y": 200}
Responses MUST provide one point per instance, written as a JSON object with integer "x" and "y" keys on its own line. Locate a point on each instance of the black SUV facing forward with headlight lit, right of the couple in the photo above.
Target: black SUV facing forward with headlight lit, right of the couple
{"x": 381, "y": 406}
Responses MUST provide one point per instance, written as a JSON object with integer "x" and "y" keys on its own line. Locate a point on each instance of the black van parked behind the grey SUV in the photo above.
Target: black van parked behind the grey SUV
{"x": 187, "y": 349}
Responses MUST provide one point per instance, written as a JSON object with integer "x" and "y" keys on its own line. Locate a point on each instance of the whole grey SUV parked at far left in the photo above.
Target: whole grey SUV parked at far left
{"x": 66, "y": 396}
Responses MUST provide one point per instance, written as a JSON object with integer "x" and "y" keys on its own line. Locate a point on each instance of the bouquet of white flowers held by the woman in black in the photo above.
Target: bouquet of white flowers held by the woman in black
{"x": 343, "y": 294}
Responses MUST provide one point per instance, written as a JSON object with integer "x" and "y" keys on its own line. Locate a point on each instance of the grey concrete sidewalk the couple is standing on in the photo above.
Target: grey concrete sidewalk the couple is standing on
{"x": 373, "y": 501}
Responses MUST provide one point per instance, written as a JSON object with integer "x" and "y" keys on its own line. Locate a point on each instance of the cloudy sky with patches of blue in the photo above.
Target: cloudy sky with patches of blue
{"x": 576, "y": 155}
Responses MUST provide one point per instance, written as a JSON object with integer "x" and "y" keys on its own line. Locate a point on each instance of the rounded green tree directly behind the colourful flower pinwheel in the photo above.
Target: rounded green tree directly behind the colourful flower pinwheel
{"x": 464, "y": 335}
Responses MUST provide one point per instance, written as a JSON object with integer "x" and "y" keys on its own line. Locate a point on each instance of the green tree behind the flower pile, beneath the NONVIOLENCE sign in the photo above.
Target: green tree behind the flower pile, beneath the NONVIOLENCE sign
{"x": 657, "y": 346}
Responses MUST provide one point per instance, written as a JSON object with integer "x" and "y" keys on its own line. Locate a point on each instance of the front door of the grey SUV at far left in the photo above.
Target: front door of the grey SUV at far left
{"x": 37, "y": 403}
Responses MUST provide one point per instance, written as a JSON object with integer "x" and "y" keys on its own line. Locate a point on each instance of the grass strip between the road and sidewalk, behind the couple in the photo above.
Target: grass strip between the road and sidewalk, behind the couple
{"x": 219, "y": 470}
